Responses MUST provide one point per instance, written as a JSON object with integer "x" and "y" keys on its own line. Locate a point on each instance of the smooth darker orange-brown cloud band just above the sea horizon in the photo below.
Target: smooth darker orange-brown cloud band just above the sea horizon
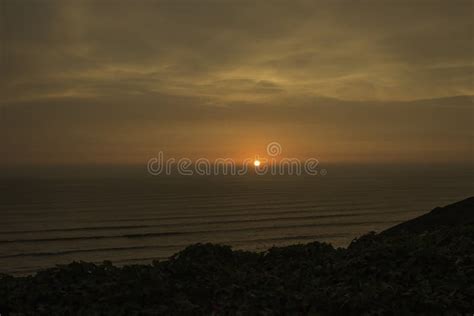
{"x": 130, "y": 128}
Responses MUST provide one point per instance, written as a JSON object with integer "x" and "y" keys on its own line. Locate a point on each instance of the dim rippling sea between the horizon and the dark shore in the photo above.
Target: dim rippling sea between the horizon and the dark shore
{"x": 50, "y": 217}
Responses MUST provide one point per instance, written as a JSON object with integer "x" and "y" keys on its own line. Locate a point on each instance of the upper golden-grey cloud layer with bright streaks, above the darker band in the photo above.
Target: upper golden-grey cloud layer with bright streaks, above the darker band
{"x": 321, "y": 47}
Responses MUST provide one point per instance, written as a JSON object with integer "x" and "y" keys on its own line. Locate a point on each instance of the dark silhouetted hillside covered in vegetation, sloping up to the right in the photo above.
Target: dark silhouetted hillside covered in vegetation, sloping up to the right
{"x": 424, "y": 266}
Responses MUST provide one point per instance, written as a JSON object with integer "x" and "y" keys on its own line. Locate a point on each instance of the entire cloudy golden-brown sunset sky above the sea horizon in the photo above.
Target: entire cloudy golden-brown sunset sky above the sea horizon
{"x": 115, "y": 82}
